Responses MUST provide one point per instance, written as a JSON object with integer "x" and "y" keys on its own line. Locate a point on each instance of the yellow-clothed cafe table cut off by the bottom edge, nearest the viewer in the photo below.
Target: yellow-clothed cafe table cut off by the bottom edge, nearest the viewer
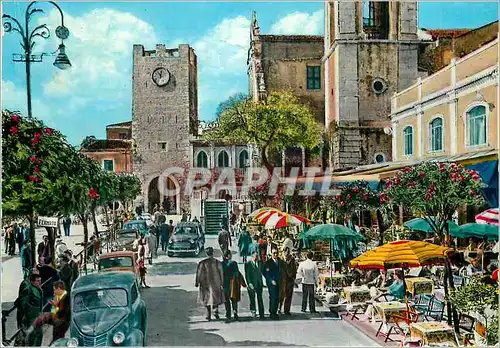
{"x": 433, "y": 333}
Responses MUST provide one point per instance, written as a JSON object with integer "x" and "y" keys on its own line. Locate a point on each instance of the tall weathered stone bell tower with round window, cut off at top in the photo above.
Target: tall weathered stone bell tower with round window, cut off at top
{"x": 371, "y": 52}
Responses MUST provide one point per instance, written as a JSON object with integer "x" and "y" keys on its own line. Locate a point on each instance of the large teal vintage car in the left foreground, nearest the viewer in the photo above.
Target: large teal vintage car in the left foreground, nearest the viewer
{"x": 106, "y": 310}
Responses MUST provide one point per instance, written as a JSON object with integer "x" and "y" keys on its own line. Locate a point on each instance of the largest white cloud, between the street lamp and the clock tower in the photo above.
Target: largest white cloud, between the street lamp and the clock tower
{"x": 100, "y": 50}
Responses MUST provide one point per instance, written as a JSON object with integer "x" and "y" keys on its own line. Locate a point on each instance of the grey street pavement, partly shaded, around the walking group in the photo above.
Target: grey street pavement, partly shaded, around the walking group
{"x": 176, "y": 319}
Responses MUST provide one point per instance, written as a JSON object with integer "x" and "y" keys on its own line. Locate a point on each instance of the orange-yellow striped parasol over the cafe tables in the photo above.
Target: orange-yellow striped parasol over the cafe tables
{"x": 400, "y": 254}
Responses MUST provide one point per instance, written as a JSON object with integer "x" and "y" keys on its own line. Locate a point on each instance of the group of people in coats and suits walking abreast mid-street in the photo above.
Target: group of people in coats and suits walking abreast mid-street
{"x": 221, "y": 281}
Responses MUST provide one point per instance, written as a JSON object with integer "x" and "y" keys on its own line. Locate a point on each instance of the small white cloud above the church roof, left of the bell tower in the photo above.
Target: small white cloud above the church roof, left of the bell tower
{"x": 300, "y": 23}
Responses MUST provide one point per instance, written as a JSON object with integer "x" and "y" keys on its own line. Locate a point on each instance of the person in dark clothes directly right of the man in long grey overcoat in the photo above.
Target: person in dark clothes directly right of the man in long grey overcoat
{"x": 232, "y": 285}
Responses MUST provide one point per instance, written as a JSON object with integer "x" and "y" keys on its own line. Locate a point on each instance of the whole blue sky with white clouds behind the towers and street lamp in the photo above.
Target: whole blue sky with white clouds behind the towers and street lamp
{"x": 97, "y": 89}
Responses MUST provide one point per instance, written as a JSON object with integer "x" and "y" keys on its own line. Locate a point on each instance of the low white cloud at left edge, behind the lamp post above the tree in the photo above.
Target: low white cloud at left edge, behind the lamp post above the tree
{"x": 14, "y": 99}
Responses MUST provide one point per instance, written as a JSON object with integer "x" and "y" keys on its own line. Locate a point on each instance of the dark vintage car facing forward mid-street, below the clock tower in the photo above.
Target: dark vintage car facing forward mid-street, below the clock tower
{"x": 188, "y": 238}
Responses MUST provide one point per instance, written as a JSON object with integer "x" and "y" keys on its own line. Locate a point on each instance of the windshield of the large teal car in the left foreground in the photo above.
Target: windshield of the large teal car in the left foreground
{"x": 104, "y": 298}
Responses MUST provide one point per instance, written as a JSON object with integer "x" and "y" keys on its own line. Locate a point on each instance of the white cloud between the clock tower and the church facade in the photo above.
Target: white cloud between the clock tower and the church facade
{"x": 224, "y": 49}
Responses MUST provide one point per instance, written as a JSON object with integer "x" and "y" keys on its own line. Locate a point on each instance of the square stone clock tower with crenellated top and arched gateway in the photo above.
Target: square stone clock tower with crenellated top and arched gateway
{"x": 164, "y": 118}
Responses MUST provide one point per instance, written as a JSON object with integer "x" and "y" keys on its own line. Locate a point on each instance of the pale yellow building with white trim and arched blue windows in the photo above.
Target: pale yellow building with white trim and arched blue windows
{"x": 450, "y": 113}
